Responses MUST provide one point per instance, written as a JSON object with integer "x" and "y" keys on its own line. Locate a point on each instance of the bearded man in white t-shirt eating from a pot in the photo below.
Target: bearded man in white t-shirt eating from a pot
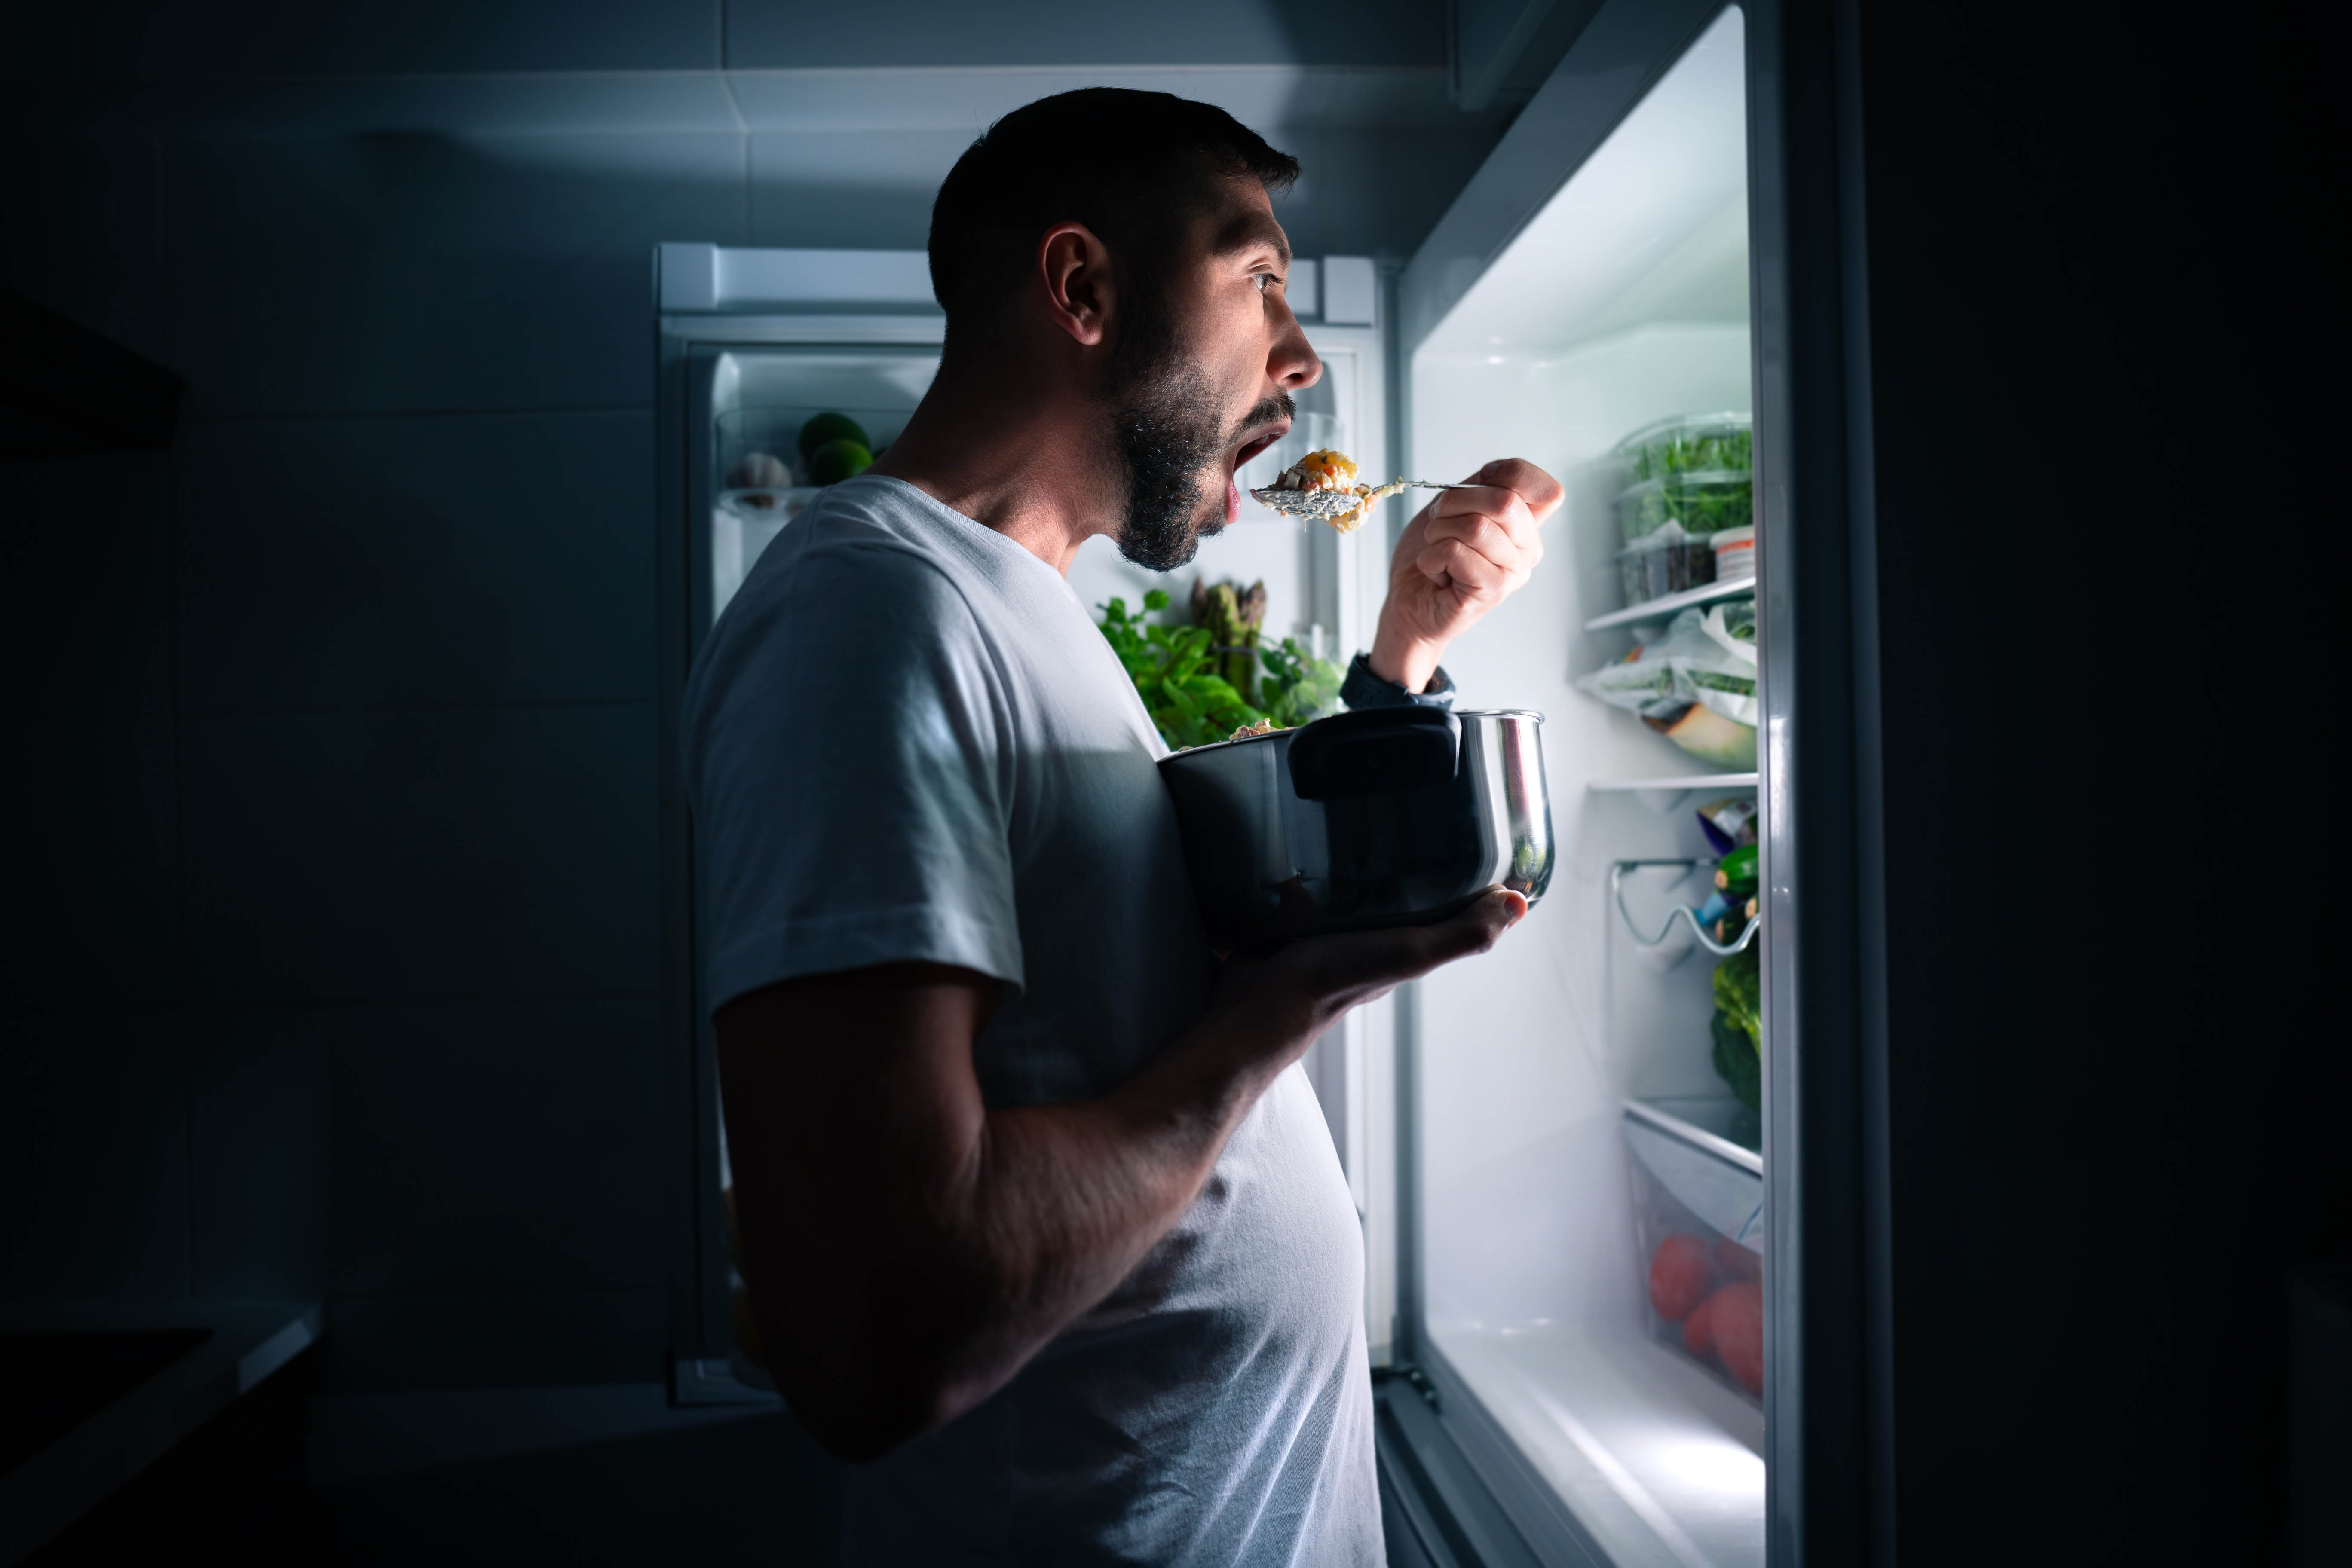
{"x": 1041, "y": 1219}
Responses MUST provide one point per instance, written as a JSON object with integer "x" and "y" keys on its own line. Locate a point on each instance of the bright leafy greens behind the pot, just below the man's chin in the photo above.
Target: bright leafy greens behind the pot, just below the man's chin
{"x": 1180, "y": 676}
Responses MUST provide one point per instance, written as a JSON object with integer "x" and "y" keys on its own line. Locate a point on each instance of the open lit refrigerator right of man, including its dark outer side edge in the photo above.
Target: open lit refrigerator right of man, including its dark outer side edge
{"x": 1638, "y": 1144}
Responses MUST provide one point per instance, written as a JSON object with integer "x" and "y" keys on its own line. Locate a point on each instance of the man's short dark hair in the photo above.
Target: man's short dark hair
{"x": 1130, "y": 166}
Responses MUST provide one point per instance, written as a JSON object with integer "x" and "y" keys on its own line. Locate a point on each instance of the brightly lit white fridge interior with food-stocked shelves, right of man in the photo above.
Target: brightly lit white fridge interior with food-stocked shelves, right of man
{"x": 1586, "y": 1167}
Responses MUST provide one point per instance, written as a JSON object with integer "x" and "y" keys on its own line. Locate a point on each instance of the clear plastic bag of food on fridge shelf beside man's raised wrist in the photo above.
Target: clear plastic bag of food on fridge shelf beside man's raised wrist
{"x": 1697, "y": 685}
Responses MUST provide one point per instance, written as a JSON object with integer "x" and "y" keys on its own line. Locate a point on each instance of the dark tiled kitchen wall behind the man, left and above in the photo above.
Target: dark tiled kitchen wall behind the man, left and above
{"x": 330, "y": 753}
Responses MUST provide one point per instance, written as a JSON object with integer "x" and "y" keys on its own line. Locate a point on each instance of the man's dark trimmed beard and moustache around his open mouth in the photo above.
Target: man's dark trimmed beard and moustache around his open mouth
{"x": 1168, "y": 434}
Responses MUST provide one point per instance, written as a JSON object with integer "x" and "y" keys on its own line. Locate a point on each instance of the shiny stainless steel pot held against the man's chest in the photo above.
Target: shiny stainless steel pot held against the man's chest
{"x": 1389, "y": 817}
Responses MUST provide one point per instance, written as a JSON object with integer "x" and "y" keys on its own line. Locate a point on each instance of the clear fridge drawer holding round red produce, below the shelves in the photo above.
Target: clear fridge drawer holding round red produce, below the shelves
{"x": 1699, "y": 1221}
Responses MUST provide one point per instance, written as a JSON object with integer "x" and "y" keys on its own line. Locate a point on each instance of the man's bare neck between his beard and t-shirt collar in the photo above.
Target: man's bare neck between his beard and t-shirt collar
{"x": 1015, "y": 457}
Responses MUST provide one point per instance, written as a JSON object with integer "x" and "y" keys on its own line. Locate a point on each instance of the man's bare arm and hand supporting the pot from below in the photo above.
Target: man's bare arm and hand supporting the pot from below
{"x": 911, "y": 1249}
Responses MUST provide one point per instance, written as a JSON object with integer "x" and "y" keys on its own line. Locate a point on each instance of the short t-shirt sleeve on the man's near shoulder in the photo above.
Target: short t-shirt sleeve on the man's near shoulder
{"x": 850, "y": 777}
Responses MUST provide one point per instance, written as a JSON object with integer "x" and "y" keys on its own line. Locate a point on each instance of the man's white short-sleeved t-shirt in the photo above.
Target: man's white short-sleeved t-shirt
{"x": 907, "y": 739}
